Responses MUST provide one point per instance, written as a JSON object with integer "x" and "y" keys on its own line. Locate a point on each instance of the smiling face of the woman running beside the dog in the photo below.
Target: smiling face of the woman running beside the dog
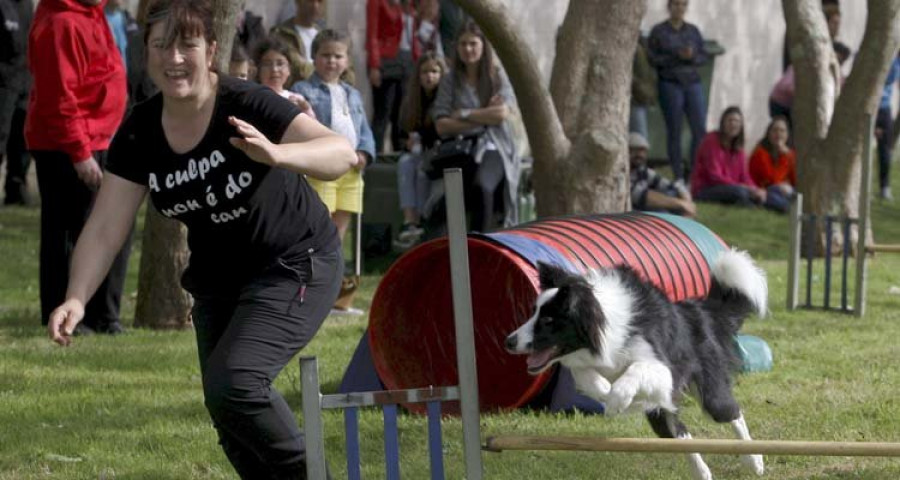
{"x": 182, "y": 69}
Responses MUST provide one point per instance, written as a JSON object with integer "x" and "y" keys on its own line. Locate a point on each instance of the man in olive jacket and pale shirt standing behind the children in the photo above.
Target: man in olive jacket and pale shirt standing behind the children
{"x": 298, "y": 33}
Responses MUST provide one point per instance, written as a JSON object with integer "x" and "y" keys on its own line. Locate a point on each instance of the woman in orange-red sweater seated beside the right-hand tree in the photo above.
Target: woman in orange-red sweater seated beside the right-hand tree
{"x": 773, "y": 165}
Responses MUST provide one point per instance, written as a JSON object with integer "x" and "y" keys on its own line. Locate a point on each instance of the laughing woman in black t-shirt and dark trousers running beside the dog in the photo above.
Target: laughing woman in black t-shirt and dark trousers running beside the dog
{"x": 227, "y": 158}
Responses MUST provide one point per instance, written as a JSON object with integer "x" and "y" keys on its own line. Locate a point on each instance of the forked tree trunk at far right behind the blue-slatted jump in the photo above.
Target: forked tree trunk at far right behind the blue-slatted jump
{"x": 829, "y": 148}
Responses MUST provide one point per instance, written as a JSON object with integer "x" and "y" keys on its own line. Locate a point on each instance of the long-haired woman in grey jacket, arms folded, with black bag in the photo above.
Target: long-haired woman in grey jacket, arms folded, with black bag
{"x": 474, "y": 99}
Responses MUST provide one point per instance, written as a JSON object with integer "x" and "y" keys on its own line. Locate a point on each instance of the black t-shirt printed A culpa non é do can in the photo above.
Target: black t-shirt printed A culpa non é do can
{"x": 242, "y": 216}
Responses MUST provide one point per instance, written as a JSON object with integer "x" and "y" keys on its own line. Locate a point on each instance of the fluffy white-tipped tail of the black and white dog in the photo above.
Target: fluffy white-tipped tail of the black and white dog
{"x": 738, "y": 289}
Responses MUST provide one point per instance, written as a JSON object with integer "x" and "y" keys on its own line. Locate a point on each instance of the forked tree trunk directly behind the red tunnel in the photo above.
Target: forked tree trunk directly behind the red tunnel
{"x": 578, "y": 140}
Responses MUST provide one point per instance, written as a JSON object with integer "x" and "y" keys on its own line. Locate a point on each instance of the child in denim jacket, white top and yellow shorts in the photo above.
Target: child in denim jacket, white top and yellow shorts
{"x": 339, "y": 106}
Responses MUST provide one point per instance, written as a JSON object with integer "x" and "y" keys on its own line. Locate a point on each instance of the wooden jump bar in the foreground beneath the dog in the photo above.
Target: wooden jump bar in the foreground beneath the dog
{"x": 668, "y": 445}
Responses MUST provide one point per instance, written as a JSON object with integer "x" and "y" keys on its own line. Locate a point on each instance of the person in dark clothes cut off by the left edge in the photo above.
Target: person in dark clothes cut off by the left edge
{"x": 15, "y": 21}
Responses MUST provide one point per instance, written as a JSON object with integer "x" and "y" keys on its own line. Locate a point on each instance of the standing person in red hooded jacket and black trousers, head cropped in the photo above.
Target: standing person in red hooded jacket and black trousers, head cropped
{"x": 75, "y": 107}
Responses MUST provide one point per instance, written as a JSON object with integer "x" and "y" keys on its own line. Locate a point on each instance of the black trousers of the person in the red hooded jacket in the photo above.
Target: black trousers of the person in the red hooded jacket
{"x": 66, "y": 203}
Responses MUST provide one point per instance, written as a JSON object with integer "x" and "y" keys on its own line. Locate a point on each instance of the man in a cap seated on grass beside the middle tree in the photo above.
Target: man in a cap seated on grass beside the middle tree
{"x": 650, "y": 190}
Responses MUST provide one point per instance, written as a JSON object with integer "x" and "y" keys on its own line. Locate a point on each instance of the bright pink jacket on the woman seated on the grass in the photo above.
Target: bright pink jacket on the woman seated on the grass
{"x": 716, "y": 166}
